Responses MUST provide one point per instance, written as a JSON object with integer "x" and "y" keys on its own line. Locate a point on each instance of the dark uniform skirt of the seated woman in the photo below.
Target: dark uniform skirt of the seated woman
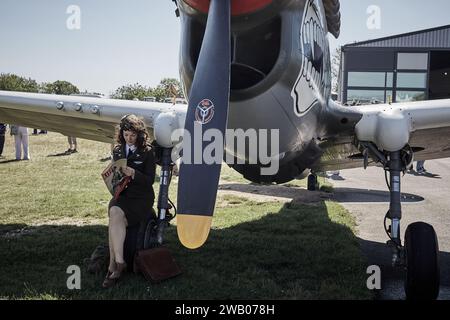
{"x": 136, "y": 209}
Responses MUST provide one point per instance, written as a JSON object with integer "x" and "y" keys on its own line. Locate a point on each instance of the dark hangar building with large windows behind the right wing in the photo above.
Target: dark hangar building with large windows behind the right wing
{"x": 406, "y": 67}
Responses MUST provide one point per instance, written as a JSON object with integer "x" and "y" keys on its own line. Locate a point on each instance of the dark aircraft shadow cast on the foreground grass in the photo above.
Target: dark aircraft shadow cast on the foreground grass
{"x": 295, "y": 253}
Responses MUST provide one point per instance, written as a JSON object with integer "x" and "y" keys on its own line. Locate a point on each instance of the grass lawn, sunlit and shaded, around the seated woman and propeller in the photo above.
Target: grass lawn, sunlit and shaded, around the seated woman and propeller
{"x": 53, "y": 214}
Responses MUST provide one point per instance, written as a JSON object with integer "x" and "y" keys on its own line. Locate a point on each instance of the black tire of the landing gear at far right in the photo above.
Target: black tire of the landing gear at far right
{"x": 422, "y": 261}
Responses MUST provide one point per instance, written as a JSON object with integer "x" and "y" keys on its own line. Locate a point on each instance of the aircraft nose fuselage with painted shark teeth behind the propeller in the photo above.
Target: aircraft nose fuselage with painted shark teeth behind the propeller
{"x": 280, "y": 78}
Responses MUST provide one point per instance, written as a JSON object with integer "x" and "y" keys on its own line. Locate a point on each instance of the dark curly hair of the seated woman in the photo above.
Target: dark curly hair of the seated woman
{"x": 133, "y": 123}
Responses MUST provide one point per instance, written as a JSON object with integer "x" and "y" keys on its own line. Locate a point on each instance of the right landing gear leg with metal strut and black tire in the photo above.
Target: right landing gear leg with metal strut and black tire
{"x": 419, "y": 256}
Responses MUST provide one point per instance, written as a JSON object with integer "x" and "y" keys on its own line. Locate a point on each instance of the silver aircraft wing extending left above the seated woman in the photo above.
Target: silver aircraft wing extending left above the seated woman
{"x": 84, "y": 117}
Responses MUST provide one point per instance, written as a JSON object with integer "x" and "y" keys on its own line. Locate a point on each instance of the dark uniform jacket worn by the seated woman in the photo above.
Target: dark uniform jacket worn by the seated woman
{"x": 143, "y": 162}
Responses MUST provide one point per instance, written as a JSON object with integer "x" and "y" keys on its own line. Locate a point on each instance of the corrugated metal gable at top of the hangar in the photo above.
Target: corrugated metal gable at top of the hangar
{"x": 427, "y": 39}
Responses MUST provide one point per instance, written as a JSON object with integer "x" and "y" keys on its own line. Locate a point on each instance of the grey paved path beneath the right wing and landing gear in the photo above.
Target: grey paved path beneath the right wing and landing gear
{"x": 425, "y": 198}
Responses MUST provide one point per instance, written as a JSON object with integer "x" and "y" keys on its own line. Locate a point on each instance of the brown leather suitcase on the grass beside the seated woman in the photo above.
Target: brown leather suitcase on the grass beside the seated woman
{"x": 156, "y": 264}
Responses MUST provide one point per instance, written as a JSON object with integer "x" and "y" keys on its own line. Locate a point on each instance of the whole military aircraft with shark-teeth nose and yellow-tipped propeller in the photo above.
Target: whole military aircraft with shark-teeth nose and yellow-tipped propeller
{"x": 266, "y": 64}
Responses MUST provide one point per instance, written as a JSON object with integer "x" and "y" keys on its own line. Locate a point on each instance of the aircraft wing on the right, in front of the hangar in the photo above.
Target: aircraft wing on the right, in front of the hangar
{"x": 424, "y": 125}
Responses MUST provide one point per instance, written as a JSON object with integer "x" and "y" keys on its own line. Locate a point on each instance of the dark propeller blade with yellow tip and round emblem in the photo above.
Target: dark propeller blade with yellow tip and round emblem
{"x": 208, "y": 109}
